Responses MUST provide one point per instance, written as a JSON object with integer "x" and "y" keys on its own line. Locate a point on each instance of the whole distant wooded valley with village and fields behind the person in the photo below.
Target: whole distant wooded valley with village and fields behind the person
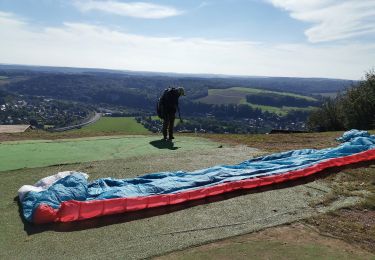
{"x": 251, "y": 103}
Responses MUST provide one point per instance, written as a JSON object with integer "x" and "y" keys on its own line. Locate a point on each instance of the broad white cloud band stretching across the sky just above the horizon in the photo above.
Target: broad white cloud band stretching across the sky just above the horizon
{"x": 85, "y": 45}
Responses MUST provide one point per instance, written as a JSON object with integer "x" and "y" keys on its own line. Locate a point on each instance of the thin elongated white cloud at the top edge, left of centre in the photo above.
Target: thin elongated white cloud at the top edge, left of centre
{"x": 132, "y": 9}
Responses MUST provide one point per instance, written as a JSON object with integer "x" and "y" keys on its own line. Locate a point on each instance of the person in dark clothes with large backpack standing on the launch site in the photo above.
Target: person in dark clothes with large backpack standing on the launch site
{"x": 167, "y": 107}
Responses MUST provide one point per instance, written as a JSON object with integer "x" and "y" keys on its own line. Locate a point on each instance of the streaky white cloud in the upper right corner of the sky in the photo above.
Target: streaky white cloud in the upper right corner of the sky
{"x": 332, "y": 19}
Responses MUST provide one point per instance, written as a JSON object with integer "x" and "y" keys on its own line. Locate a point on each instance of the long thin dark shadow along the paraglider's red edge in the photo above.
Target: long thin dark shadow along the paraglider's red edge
{"x": 31, "y": 229}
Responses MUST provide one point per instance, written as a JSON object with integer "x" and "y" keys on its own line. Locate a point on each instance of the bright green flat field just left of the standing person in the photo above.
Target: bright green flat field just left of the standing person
{"x": 123, "y": 125}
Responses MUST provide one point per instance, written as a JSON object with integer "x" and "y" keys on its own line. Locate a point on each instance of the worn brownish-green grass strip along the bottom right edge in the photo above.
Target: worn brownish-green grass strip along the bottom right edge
{"x": 267, "y": 249}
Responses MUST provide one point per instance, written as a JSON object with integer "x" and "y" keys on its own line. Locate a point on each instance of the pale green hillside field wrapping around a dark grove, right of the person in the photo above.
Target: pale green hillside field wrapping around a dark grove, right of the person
{"x": 237, "y": 95}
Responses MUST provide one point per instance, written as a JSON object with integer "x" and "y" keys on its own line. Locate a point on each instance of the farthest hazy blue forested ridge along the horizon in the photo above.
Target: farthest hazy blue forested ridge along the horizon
{"x": 41, "y": 77}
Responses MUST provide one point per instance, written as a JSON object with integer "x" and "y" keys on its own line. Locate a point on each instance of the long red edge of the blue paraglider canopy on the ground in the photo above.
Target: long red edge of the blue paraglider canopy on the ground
{"x": 73, "y": 210}
